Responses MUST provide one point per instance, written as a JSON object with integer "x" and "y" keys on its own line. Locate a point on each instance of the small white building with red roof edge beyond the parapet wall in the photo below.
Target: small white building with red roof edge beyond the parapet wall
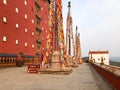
{"x": 99, "y": 56}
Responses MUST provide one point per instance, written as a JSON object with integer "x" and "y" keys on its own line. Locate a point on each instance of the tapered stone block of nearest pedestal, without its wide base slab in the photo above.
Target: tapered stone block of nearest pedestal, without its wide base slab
{"x": 55, "y": 62}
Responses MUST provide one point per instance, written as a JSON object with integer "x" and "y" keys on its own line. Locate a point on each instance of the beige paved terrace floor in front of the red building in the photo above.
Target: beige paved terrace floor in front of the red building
{"x": 82, "y": 78}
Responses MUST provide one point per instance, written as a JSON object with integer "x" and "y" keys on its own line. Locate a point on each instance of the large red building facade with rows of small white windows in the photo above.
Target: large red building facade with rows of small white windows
{"x": 22, "y": 28}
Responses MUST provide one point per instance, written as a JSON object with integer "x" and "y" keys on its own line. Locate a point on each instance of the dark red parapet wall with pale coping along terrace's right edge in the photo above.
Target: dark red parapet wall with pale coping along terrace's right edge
{"x": 110, "y": 73}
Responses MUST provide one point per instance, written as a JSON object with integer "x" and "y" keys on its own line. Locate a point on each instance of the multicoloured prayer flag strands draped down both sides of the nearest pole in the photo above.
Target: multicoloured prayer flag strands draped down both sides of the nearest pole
{"x": 51, "y": 33}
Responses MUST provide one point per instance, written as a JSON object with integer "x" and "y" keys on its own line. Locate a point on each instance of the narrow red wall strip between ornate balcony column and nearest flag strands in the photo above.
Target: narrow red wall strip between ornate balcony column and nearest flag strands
{"x": 44, "y": 14}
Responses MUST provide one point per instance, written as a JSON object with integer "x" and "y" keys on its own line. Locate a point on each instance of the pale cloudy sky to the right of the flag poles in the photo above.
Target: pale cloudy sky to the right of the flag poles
{"x": 98, "y": 23}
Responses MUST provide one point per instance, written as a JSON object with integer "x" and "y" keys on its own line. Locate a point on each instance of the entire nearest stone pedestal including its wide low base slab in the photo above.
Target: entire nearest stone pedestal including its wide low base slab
{"x": 56, "y": 66}
